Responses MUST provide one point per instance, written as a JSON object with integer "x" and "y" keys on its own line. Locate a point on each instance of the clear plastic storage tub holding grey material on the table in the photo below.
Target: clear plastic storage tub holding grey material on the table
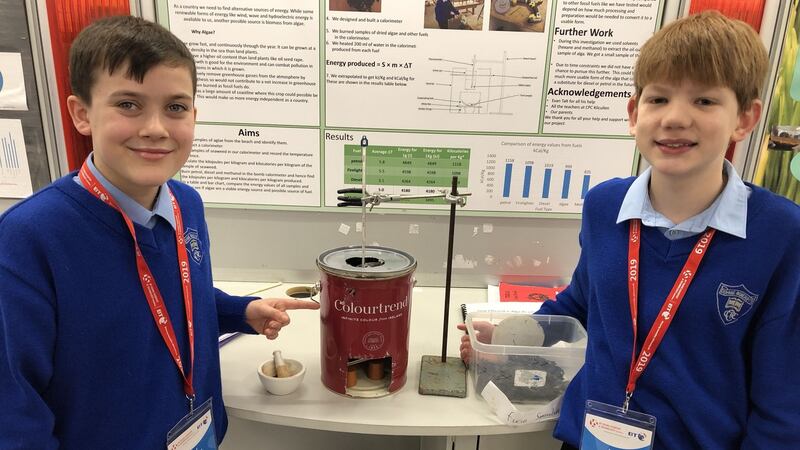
{"x": 533, "y": 357}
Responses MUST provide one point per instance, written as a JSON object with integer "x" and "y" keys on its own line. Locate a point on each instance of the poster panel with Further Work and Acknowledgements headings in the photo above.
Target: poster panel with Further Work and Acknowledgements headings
{"x": 595, "y": 45}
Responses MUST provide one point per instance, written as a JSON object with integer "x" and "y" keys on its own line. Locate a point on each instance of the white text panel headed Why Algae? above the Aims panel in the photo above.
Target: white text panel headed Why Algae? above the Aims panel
{"x": 257, "y": 62}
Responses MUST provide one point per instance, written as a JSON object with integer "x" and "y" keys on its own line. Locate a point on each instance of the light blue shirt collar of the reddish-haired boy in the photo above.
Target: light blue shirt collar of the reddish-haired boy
{"x": 728, "y": 213}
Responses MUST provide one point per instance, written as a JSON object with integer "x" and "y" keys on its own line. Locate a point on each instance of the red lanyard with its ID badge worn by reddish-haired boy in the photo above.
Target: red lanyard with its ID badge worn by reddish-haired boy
{"x": 610, "y": 427}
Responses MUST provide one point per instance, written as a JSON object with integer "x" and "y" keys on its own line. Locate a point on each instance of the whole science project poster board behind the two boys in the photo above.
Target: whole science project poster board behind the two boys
{"x": 524, "y": 101}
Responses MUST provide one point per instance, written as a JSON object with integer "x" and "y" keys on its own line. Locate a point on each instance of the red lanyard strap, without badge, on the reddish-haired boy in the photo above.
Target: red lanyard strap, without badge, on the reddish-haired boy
{"x": 668, "y": 309}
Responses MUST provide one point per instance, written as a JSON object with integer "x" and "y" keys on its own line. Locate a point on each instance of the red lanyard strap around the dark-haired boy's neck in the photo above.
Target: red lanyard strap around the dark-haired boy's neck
{"x": 154, "y": 299}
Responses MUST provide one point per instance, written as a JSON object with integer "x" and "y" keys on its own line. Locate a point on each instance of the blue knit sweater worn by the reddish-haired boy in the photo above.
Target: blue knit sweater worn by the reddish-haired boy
{"x": 721, "y": 379}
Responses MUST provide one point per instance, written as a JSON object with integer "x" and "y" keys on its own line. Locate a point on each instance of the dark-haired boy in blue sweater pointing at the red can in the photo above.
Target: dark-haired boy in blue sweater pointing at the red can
{"x": 108, "y": 317}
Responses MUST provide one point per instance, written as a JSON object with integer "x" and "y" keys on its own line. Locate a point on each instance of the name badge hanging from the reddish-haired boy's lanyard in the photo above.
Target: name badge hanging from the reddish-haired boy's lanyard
{"x": 608, "y": 427}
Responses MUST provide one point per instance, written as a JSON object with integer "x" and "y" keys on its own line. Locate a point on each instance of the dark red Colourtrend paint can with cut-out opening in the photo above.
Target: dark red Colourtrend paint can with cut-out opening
{"x": 365, "y": 314}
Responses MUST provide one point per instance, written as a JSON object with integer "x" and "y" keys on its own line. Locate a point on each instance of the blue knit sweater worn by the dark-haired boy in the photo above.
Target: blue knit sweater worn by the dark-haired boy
{"x": 82, "y": 365}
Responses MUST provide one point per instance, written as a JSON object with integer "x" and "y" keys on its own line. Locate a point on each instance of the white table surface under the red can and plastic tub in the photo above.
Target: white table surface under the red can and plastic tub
{"x": 404, "y": 412}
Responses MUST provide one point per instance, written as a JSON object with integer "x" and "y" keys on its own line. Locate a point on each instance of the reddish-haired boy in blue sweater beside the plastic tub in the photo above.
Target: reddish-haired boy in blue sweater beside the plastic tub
{"x": 688, "y": 232}
